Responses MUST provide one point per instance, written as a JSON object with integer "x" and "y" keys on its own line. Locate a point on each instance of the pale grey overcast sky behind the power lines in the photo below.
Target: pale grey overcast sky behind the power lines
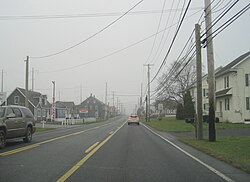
{"x": 29, "y": 28}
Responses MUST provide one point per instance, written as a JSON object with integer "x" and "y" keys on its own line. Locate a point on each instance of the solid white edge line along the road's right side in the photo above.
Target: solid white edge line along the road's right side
{"x": 193, "y": 157}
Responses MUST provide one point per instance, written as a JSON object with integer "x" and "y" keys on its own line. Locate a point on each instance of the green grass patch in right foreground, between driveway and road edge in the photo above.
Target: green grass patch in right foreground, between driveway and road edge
{"x": 233, "y": 150}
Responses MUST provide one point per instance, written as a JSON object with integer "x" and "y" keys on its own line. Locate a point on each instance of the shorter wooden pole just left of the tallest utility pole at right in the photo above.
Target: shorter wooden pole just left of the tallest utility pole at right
{"x": 199, "y": 128}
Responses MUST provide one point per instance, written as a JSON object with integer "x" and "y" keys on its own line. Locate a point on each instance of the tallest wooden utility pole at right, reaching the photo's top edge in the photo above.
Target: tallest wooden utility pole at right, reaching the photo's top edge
{"x": 211, "y": 75}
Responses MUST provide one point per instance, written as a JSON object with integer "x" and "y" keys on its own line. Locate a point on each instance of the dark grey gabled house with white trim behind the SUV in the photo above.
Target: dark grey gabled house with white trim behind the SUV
{"x": 38, "y": 103}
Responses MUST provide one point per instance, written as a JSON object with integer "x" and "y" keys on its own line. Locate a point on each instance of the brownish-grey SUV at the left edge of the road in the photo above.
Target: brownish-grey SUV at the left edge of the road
{"x": 16, "y": 122}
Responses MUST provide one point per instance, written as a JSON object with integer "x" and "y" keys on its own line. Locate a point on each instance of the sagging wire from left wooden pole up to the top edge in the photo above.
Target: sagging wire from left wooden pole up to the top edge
{"x": 71, "y": 47}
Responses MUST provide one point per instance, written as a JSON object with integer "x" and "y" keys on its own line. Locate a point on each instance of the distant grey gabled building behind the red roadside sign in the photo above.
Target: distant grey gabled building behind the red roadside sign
{"x": 92, "y": 108}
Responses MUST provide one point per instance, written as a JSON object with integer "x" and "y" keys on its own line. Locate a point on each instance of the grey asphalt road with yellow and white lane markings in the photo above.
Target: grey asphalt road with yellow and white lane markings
{"x": 109, "y": 151}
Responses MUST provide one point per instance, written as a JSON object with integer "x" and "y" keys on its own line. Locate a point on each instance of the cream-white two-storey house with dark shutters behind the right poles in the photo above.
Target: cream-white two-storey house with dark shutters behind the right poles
{"x": 232, "y": 85}
